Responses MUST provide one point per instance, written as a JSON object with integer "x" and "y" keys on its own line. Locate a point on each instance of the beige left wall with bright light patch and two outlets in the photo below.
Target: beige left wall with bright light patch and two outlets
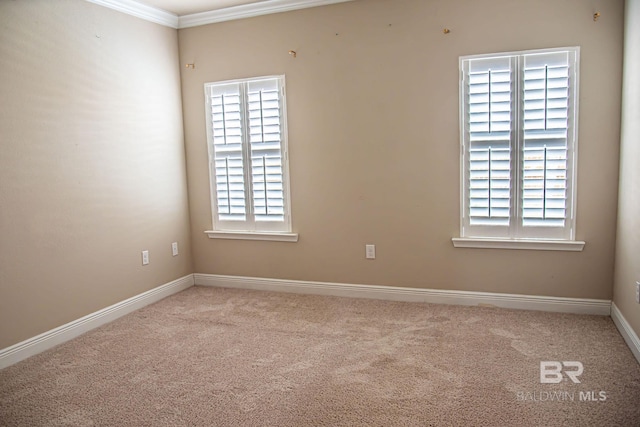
{"x": 92, "y": 167}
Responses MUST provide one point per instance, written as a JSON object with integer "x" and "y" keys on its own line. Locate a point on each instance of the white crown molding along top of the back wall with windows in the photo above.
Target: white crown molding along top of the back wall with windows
{"x": 249, "y": 11}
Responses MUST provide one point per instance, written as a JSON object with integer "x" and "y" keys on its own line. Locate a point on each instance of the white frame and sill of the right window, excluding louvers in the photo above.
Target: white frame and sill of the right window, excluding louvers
{"x": 515, "y": 235}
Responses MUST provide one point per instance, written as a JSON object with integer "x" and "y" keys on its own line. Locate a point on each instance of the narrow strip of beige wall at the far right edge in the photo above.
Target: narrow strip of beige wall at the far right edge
{"x": 627, "y": 268}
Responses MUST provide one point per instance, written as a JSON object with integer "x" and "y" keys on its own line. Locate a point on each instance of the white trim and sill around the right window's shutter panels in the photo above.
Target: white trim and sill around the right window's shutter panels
{"x": 512, "y": 238}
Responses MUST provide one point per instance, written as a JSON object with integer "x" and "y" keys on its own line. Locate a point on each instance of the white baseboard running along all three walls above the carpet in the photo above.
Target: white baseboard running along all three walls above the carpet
{"x": 49, "y": 339}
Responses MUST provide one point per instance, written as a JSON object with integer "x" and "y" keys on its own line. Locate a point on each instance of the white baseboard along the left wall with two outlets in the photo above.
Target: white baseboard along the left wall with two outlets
{"x": 49, "y": 339}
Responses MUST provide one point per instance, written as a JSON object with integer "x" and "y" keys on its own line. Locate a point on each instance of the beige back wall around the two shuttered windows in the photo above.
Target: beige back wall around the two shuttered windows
{"x": 374, "y": 140}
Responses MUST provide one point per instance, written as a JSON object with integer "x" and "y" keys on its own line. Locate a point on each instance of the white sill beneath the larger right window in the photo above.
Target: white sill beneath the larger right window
{"x": 536, "y": 245}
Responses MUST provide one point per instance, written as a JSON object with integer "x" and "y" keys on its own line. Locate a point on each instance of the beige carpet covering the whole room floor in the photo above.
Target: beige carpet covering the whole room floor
{"x": 220, "y": 357}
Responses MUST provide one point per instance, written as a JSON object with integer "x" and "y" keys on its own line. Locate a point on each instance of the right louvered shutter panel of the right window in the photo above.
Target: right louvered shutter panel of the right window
{"x": 545, "y": 153}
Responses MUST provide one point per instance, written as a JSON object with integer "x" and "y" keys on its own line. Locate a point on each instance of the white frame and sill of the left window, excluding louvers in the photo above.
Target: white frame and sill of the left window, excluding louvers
{"x": 248, "y": 228}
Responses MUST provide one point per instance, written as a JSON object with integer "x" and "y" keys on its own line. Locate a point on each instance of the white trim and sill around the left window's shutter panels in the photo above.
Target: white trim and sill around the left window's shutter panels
{"x": 248, "y": 229}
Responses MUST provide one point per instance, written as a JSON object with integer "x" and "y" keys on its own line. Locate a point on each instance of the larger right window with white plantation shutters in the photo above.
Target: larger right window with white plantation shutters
{"x": 518, "y": 133}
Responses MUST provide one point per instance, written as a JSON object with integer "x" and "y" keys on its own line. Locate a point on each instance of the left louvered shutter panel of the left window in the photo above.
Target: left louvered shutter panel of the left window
{"x": 226, "y": 119}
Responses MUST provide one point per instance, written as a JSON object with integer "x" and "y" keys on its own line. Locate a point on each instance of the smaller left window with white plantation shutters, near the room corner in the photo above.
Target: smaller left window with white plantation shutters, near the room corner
{"x": 246, "y": 131}
